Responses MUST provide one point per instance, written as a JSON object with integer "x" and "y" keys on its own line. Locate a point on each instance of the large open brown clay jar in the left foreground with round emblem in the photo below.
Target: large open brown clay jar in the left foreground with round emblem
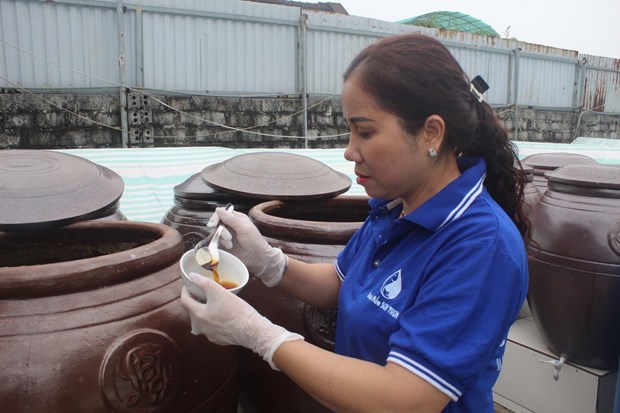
{"x": 91, "y": 321}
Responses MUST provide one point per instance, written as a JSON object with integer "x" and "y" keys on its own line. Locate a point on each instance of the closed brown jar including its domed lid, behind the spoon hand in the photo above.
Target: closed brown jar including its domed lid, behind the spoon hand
{"x": 244, "y": 181}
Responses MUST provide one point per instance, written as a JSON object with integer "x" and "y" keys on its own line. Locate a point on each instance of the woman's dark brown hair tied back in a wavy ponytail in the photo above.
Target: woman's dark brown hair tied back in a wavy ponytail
{"x": 414, "y": 76}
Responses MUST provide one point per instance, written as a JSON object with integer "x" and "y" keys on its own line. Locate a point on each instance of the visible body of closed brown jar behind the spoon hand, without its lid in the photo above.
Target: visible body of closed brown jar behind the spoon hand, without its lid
{"x": 194, "y": 203}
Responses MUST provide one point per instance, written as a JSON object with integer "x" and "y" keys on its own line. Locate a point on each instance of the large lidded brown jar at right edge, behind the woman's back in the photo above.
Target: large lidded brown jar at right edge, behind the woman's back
{"x": 574, "y": 262}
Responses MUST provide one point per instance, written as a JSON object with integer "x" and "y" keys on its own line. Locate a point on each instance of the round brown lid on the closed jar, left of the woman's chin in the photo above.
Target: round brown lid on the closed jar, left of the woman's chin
{"x": 276, "y": 175}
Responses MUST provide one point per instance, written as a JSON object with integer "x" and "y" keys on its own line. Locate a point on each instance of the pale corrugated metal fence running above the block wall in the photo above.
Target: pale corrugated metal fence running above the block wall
{"x": 243, "y": 48}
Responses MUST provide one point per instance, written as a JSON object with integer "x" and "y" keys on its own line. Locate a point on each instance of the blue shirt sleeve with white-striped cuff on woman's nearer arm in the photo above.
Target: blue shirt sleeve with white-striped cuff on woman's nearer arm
{"x": 455, "y": 330}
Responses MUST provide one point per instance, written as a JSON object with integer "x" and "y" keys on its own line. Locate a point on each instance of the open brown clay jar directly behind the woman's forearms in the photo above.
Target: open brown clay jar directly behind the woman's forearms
{"x": 311, "y": 231}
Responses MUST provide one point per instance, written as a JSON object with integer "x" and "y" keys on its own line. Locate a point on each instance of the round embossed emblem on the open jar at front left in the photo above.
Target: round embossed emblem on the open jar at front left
{"x": 141, "y": 373}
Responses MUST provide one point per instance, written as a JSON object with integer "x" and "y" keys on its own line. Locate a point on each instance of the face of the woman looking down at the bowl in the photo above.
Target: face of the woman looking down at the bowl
{"x": 389, "y": 162}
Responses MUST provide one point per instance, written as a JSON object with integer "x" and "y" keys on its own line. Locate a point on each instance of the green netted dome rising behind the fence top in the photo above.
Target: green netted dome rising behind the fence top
{"x": 452, "y": 20}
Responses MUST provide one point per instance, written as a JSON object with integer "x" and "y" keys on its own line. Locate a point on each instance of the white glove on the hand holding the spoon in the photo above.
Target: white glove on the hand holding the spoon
{"x": 263, "y": 260}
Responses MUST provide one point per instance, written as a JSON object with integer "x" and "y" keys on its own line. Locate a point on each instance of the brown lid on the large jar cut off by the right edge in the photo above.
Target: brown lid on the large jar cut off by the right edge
{"x": 592, "y": 176}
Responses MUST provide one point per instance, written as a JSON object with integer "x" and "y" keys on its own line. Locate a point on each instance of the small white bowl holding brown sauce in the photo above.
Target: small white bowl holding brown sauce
{"x": 230, "y": 269}
